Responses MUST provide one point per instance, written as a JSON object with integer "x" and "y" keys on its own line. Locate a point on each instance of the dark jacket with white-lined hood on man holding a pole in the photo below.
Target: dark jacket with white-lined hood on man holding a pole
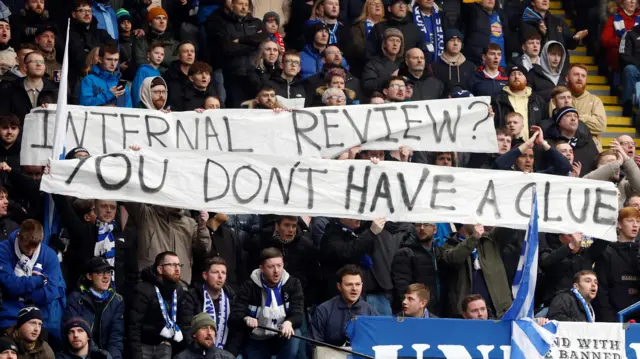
{"x": 249, "y": 302}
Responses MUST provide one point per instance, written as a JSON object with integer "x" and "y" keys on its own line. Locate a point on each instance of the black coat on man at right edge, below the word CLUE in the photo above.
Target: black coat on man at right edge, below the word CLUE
{"x": 618, "y": 280}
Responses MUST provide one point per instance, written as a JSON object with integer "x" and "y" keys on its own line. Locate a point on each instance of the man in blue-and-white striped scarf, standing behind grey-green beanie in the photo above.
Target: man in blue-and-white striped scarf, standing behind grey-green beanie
{"x": 213, "y": 298}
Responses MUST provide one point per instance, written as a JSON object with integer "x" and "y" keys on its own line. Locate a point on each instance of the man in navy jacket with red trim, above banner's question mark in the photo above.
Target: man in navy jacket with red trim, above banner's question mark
{"x": 489, "y": 79}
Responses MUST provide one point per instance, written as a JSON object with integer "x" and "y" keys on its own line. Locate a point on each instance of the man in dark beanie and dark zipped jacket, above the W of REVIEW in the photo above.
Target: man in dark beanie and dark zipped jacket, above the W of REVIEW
{"x": 452, "y": 68}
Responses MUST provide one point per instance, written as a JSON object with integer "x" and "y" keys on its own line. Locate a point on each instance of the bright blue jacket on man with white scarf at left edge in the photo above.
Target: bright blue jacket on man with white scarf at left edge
{"x": 49, "y": 296}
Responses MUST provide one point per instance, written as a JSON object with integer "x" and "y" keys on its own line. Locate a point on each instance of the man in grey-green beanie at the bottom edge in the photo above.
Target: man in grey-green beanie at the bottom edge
{"x": 203, "y": 332}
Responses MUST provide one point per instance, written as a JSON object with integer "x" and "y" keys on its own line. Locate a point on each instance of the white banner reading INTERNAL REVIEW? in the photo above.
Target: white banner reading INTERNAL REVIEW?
{"x": 439, "y": 125}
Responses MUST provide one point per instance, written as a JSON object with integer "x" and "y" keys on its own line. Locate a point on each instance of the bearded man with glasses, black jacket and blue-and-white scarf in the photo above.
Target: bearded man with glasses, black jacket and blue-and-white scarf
{"x": 153, "y": 328}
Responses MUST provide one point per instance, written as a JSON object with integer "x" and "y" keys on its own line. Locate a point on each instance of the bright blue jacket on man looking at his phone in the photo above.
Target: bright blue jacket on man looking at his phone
{"x": 94, "y": 89}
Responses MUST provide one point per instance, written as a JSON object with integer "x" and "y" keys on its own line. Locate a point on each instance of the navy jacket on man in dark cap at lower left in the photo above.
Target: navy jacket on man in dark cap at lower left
{"x": 110, "y": 335}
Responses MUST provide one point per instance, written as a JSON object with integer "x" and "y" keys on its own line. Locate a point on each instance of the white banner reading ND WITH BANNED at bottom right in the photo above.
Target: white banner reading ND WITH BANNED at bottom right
{"x": 589, "y": 340}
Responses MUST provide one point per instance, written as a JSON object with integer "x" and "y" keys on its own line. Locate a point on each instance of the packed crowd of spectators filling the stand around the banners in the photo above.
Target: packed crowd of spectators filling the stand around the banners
{"x": 139, "y": 281}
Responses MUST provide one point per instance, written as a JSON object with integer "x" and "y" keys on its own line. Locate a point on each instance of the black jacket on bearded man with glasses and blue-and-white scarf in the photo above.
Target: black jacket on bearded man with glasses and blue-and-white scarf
{"x": 145, "y": 316}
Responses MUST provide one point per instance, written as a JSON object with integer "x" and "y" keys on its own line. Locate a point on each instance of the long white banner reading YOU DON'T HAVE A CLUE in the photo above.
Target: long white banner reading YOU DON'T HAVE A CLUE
{"x": 406, "y": 192}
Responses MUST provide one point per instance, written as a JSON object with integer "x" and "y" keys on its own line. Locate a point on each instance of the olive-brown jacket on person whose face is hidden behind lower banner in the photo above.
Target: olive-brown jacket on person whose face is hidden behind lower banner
{"x": 166, "y": 229}
